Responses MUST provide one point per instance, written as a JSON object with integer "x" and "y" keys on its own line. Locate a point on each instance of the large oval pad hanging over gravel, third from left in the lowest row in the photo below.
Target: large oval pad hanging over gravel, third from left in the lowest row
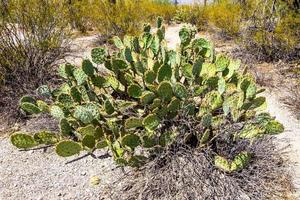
{"x": 68, "y": 148}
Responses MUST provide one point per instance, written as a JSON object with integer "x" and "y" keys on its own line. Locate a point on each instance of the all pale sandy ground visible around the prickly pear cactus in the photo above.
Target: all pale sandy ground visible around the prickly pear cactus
{"x": 41, "y": 174}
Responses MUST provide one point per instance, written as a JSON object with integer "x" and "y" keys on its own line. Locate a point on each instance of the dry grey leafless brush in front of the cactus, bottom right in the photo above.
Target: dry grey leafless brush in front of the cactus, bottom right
{"x": 190, "y": 174}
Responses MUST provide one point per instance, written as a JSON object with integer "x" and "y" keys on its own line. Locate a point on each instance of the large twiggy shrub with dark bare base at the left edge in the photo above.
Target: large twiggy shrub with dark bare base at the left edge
{"x": 32, "y": 37}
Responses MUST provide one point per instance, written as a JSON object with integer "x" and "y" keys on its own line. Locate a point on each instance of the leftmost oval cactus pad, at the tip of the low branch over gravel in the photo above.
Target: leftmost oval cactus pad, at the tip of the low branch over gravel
{"x": 22, "y": 140}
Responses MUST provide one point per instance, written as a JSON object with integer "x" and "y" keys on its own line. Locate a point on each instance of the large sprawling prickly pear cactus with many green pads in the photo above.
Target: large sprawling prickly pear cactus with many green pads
{"x": 132, "y": 110}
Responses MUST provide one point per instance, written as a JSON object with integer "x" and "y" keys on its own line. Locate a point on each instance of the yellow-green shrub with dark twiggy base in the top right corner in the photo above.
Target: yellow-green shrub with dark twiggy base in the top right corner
{"x": 272, "y": 31}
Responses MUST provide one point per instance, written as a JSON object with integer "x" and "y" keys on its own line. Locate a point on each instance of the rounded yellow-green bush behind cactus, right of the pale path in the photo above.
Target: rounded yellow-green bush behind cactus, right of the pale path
{"x": 225, "y": 15}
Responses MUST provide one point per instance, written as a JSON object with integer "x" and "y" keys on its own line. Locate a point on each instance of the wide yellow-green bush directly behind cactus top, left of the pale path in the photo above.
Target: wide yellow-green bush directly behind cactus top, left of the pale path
{"x": 127, "y": 16}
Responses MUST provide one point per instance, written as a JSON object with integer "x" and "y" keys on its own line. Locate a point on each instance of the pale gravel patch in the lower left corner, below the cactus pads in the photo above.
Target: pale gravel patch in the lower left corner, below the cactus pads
{"x": 37, "y": 175}
